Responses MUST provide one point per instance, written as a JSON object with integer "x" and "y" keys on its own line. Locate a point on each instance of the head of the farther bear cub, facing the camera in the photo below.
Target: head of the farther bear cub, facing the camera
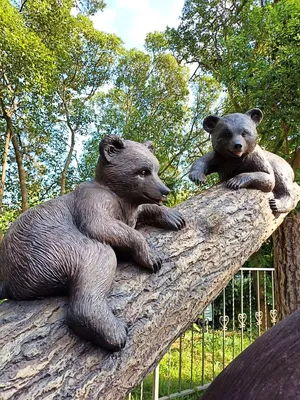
{"x": 234, "y": 135}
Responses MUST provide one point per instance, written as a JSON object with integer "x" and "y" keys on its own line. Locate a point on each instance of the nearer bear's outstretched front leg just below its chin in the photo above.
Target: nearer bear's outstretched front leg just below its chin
{"x": 161, "y": 217}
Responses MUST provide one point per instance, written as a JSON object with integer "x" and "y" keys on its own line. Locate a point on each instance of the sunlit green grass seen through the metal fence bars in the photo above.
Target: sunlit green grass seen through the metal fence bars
{"x": 189, "y": 365}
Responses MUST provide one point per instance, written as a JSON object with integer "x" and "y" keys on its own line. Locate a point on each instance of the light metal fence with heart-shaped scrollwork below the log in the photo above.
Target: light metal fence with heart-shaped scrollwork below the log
{"x": 241, "y": 313}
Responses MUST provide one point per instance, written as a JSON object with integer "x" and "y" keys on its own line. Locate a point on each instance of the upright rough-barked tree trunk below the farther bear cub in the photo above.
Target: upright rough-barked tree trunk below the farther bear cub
{"x": 287, "y": 266}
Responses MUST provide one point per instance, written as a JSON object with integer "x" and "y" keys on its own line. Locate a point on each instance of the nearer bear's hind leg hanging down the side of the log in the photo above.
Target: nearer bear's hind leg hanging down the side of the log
{"x": 89, "y": 315}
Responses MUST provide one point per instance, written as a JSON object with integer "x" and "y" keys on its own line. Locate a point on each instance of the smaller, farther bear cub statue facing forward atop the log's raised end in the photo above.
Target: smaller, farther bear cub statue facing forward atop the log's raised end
{"x": 241, "y": 162}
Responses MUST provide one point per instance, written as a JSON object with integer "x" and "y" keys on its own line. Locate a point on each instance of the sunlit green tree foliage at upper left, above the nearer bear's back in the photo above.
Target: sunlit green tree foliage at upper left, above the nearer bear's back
{"x": 52, "y": 64}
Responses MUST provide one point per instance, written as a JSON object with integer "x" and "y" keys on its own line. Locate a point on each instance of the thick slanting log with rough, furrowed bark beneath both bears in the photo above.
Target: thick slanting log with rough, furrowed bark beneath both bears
{"x": 41, "y": 359}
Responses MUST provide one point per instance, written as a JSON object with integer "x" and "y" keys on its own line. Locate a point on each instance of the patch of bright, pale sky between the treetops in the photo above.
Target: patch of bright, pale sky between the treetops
{"x": 131, "y": 20}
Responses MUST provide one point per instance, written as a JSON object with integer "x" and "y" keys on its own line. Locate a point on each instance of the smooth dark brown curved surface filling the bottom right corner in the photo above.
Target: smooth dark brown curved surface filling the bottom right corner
{"x": 269, "y": 369}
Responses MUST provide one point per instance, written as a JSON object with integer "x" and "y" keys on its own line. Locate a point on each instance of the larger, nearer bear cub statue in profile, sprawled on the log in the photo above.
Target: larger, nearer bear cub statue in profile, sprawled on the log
{"x": 68, "y": 244}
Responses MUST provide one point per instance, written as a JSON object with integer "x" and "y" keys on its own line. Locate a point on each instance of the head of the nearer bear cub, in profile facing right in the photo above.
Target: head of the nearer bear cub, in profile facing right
{"x": 130, "y": 170}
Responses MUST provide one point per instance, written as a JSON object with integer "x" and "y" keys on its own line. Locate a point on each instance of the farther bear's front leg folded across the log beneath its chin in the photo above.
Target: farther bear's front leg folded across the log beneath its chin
{"x": 254, "y": 180}
